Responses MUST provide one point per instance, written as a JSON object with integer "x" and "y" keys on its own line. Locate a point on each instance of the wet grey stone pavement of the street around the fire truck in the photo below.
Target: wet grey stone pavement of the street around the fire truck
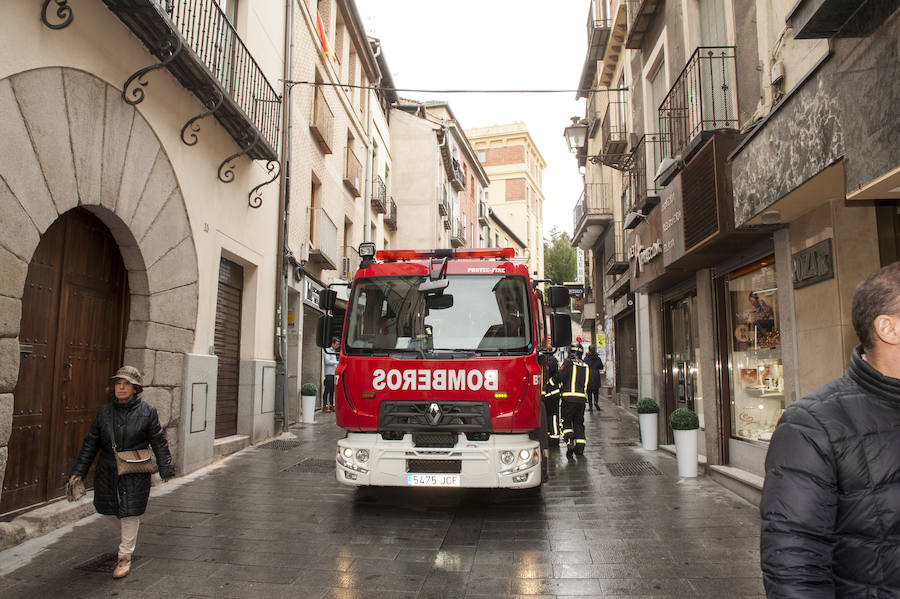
{"x": 273, "y": 522}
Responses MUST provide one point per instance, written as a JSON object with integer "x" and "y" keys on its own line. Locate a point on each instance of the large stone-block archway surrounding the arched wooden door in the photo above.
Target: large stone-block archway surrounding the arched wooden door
{"x": 70, "y": 140}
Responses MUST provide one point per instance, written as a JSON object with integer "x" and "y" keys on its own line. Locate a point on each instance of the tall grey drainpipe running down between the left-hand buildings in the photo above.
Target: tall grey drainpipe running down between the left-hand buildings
{"x": 283, "y": 268}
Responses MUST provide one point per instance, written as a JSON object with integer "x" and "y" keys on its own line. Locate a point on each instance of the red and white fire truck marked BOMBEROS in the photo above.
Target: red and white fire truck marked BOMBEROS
{"x": 441, "y": 369}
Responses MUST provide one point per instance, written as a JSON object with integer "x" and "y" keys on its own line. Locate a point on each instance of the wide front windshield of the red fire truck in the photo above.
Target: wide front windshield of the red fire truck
{"x": 481, "y": 313}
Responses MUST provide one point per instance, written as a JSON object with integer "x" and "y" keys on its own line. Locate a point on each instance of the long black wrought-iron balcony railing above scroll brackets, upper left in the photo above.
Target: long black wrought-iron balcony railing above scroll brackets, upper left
{"x": 195, "y": 42}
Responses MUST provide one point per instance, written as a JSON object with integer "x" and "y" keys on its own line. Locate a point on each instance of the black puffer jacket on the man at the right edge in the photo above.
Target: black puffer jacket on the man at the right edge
{"x": 831, "y": 500}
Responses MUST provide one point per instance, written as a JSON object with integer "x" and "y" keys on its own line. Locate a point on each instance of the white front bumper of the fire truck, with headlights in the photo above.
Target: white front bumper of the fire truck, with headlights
{"x": 479, "y": 462}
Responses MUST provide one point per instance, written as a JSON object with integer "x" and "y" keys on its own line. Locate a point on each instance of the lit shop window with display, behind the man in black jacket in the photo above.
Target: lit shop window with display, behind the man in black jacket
{"x": 755, "y": 369}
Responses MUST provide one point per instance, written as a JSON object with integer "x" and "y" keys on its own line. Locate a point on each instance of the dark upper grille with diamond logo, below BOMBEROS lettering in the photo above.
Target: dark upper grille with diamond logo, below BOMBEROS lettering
{"x": 456, "y": 416}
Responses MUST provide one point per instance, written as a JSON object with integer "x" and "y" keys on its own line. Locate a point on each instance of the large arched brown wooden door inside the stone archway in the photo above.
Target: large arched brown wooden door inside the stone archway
{"x": 71, "y": 340}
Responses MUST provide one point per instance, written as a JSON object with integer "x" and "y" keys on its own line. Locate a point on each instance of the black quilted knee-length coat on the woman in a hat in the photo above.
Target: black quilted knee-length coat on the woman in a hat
{"x": 136, "y": 426}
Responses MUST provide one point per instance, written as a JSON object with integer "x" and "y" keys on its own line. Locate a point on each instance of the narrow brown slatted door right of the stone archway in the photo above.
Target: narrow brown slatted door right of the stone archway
{"x": 228, "y": 346}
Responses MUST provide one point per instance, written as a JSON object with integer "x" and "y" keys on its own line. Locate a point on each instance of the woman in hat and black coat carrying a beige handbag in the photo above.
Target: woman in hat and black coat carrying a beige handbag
{"x": 135, "y": 425}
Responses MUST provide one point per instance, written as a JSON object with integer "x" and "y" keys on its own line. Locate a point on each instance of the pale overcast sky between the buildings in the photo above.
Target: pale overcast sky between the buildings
{"x": 495, "y": 44}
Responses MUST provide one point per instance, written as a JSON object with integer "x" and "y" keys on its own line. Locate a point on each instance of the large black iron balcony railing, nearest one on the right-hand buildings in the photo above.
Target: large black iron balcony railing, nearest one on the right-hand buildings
{"x": 703, "y": 98}
